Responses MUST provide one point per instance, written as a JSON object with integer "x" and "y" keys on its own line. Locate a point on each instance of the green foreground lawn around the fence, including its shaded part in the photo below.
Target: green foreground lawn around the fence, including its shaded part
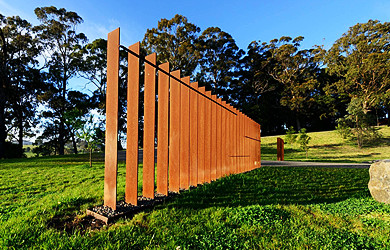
{"x": 269, "y": 207}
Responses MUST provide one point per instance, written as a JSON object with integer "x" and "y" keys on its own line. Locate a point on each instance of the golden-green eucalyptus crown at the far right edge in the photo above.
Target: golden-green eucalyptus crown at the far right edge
{"x": 361, "y": 58}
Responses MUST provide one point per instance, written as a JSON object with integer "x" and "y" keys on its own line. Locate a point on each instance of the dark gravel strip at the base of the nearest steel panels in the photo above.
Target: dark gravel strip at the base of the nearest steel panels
{"x": 123, "y": 208}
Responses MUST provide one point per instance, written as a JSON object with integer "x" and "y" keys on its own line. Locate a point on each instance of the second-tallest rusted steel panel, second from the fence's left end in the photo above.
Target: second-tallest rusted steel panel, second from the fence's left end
{"x": 131, "y": 190}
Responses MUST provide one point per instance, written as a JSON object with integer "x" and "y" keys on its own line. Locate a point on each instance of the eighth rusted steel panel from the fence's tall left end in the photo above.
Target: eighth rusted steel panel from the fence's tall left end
{"x": 201, "y": 135}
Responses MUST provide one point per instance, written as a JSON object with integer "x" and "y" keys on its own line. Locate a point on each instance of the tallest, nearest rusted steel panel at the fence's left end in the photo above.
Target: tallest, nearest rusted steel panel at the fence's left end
{"x": 111, "y": 150}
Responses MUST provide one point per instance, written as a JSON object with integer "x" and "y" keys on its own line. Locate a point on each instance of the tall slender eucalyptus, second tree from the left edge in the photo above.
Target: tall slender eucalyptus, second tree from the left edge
{"x": 58, "y": 33}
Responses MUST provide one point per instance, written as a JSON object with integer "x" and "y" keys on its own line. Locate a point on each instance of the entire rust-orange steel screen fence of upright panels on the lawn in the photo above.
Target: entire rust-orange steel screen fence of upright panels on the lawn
{"x": 200, "y": 138}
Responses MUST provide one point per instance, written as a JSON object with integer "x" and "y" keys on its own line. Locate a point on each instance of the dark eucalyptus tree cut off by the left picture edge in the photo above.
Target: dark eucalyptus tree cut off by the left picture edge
{"x": 19, "y": 79}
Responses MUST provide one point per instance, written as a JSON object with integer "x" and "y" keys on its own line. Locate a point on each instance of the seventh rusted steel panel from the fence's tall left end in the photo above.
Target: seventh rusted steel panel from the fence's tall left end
{"x": 194, "y": 135}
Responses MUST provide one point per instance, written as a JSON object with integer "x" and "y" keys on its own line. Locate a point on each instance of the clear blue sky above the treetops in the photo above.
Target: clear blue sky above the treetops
{"x": 320, "y": 22}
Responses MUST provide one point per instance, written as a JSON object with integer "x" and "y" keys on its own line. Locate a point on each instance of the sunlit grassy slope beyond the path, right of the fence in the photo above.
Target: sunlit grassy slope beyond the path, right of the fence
{"x": 328, "y": 146}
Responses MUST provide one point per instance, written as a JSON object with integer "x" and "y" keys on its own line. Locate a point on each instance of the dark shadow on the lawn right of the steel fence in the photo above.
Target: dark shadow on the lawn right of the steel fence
{"x": 278, "y": 185}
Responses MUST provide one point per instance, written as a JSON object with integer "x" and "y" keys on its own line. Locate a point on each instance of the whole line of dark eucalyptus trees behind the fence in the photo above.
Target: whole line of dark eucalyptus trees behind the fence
{"x": 277, "y": 83}
